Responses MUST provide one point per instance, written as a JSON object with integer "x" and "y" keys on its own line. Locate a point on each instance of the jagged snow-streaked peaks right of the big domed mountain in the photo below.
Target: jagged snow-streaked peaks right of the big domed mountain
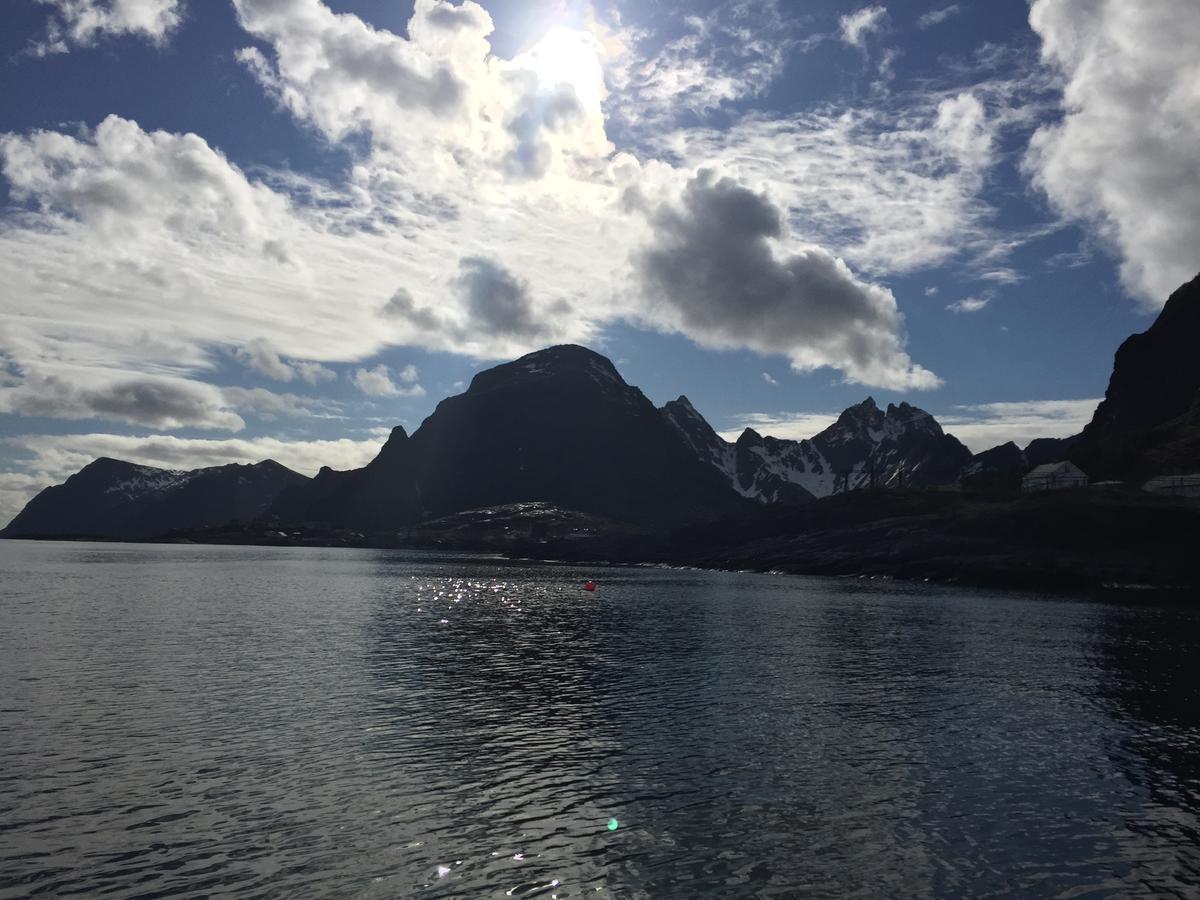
{"x": 899, "y": 446}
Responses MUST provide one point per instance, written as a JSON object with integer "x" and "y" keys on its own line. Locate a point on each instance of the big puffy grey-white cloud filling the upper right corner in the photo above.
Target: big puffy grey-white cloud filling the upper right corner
{"x": 1124, "y": 157}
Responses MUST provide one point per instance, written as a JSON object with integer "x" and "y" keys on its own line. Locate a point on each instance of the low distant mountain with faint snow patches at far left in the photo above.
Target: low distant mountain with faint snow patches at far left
{"x": 112, "y": 499}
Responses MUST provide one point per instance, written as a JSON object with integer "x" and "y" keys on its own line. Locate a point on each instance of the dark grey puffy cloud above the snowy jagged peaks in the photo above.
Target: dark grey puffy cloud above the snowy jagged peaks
{"x": 718, "y": 266}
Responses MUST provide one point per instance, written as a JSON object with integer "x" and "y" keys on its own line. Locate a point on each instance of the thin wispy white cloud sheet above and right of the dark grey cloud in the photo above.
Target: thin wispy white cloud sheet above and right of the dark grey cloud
{"x": 890, "y": 191}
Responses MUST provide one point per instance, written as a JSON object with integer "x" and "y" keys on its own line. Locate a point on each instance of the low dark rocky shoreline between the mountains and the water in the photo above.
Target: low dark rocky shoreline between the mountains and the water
{"x": 1088, "y": 539}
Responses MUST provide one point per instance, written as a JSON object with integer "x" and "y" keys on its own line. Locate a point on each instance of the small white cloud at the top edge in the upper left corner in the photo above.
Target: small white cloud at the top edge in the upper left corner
{"x": 82, "y": 23}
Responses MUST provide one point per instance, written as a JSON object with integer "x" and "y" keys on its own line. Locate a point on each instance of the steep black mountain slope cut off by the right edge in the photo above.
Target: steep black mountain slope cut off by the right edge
{"x": 1149, "y": 423}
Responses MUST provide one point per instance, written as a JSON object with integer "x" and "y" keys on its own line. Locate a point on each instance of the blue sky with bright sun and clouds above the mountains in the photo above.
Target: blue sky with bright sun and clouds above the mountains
{"x": 239, "y": 230}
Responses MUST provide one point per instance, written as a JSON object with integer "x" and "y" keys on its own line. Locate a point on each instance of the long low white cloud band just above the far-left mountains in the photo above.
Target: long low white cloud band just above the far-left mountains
{"x": 51, "y": 459}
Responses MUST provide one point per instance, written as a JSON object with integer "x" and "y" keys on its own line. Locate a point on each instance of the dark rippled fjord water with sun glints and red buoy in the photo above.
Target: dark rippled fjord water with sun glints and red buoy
{"x": 183, "y": 721}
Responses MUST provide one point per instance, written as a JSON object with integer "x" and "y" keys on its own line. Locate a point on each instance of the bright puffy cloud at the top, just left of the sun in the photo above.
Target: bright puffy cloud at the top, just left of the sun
{"x": 437, "y": 99}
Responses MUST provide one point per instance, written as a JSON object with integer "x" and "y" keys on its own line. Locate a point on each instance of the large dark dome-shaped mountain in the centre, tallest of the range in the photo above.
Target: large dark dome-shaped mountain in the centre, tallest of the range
{"x": 559, "y": 427}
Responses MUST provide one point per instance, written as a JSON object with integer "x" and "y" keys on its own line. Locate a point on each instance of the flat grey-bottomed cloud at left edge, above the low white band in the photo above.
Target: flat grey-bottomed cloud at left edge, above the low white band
{"x": 154, "y": 403}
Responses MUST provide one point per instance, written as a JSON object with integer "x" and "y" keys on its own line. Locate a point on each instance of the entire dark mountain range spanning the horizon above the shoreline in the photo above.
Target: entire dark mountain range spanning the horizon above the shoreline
{"x": 562, "y": 427}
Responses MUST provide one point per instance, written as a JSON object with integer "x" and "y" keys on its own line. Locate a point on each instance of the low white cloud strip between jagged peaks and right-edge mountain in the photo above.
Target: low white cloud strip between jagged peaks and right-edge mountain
{"x": 988, "y": 425}
